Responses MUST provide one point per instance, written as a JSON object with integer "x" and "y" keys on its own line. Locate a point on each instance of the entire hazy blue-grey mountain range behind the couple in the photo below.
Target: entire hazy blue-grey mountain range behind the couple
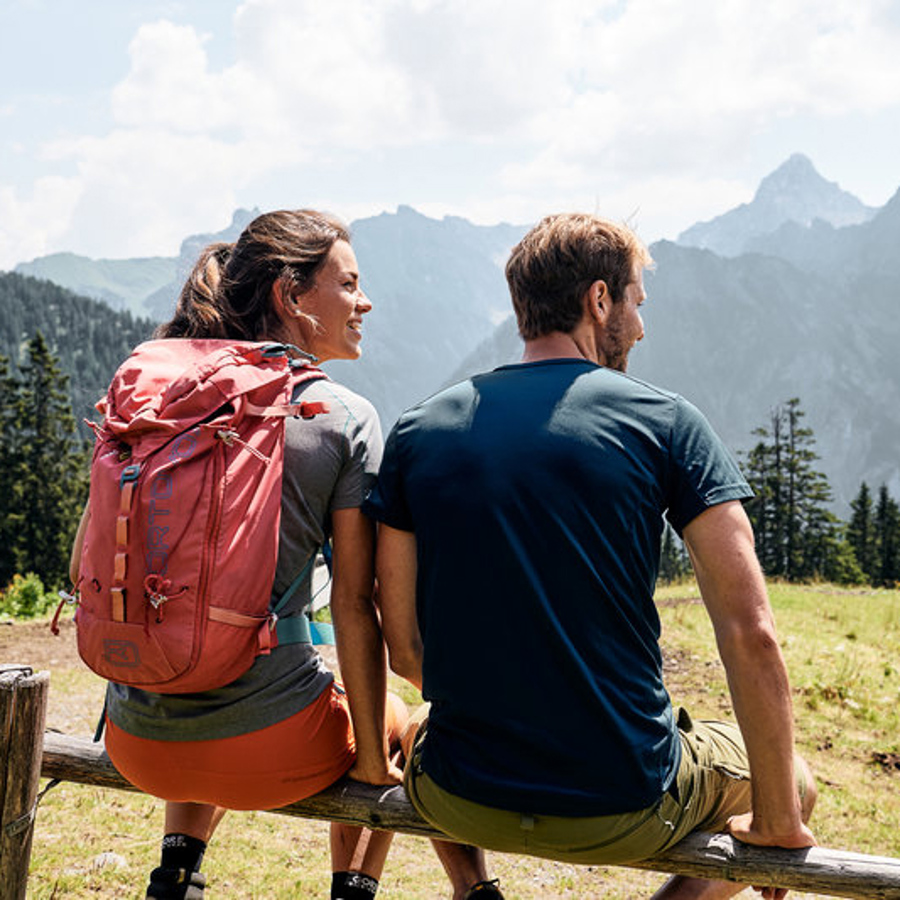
{"x": 794, "y": 294}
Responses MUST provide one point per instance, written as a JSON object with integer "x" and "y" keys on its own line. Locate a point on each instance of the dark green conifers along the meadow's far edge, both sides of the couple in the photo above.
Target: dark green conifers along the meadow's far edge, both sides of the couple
{"x": 44, "y": 464}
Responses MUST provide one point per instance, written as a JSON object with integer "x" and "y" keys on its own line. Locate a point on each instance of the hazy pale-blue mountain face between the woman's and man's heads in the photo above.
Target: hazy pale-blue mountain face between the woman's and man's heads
{"x": 437, "y": 289}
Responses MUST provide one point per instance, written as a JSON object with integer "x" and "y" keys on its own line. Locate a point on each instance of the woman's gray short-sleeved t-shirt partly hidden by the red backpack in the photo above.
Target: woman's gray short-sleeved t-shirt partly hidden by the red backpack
{"x": 330, "y": 463}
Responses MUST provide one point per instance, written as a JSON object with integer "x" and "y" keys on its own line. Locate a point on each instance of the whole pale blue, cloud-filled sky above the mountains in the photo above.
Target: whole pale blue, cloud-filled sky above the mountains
{"x": 126, "y": 126}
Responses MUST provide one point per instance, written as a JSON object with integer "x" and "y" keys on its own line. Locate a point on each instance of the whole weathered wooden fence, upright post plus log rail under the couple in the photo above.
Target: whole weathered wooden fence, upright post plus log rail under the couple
{"x": 26, "y": 754}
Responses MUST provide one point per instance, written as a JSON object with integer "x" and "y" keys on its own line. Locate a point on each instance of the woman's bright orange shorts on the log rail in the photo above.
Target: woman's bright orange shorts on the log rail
{"x": 264, "y": 769}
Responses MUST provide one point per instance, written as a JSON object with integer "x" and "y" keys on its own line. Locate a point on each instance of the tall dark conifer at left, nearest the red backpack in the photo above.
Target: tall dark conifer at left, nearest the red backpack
{"x": 49, "y": 466}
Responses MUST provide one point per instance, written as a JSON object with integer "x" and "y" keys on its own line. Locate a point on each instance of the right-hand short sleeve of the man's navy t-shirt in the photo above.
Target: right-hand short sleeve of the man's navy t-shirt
{"x": 703, "y": 472}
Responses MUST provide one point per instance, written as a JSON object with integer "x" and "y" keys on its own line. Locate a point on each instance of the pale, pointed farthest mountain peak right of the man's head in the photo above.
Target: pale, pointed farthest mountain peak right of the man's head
{"x": 794, "y": 193}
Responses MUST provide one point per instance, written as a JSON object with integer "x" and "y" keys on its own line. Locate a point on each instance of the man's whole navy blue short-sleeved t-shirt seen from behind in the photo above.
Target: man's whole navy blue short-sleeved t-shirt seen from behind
{"x": 537, "y": 493}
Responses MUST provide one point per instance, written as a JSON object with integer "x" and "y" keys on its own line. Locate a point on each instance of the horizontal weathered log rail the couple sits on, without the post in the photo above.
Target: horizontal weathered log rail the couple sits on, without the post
{"x": 834, "y": 873}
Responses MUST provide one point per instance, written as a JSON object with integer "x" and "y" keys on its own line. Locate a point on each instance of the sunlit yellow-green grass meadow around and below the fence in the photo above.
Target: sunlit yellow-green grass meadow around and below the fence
{"x": 843, "y": 652}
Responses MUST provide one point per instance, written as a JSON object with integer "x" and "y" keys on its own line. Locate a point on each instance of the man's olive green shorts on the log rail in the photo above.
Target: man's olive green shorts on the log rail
{"x": 712, "y": 784}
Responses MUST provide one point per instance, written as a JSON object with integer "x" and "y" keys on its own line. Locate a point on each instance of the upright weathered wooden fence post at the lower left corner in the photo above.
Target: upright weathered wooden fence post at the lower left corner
{"x": 23, "y": 711}
